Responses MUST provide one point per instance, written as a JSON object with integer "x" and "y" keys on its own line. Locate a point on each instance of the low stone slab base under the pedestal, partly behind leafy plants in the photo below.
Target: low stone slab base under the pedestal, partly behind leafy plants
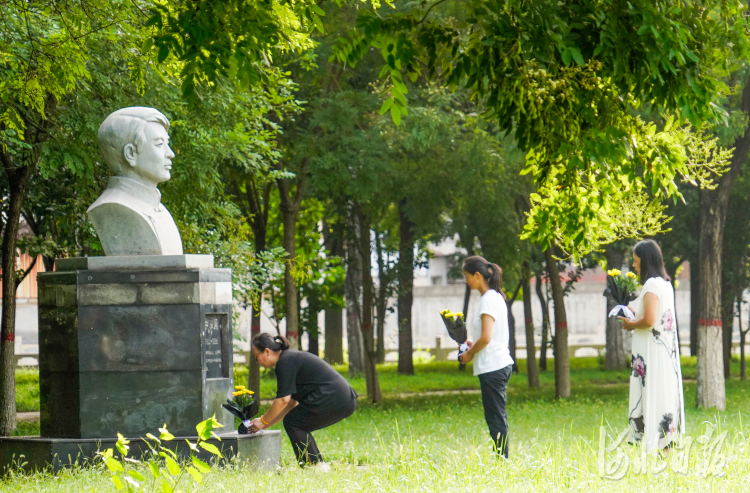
{"x": 262, "y": 450}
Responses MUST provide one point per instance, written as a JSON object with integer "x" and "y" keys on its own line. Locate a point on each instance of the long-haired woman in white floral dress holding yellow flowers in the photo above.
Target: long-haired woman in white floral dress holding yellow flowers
{"x": 656, "y": 412}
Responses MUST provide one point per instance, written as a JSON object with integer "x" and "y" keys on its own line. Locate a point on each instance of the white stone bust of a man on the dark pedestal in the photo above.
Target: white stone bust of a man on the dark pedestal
{"x": 129, "y": 217}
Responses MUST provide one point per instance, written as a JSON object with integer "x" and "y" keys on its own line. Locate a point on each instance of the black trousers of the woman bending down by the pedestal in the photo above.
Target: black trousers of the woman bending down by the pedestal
{"x": 302, "y": 420}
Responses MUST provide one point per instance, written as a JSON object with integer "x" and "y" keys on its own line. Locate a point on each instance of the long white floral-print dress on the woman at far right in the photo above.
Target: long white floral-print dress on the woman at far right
{"x": 656, "y": 411}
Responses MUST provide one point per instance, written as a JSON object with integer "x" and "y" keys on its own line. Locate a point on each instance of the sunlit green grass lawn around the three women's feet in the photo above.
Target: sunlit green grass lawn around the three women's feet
{"x": 440, "y": 442}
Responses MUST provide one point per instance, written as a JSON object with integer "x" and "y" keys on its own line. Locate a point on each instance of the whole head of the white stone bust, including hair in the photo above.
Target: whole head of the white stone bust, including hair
{"x": 135, "y": 144}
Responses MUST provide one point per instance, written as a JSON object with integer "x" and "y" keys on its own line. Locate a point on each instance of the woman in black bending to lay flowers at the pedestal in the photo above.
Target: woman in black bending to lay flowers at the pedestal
{"x": 310, "y": 395}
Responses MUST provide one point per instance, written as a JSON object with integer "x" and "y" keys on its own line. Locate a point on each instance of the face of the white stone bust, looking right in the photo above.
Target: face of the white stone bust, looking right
{"x": 154, "y": 161}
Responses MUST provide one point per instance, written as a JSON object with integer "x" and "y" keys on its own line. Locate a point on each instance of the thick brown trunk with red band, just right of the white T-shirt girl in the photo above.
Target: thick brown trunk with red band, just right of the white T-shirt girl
{"x": 562, "y": 362}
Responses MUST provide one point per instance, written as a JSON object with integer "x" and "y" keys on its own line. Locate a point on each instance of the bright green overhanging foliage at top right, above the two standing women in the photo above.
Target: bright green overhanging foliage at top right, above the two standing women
{"x": 563, "y": 78}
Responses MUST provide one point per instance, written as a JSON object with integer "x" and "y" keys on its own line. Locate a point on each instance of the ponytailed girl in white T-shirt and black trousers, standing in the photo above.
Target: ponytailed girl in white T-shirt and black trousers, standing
{"x": 490, "y": 350}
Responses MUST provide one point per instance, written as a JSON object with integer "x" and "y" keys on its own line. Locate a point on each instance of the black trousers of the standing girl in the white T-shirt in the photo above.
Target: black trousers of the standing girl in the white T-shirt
{"x": 494, "y": 385}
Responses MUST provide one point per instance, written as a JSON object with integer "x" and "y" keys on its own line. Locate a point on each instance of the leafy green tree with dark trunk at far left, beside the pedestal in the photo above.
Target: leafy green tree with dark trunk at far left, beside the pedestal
{"x": 46, "y": 52}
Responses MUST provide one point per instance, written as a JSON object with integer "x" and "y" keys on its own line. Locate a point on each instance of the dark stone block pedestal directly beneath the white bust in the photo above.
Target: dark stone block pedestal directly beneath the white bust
{"x": 127, "y": 344}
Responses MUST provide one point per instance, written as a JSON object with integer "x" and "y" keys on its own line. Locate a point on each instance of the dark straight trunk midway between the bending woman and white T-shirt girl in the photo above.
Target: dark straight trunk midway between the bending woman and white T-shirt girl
{"x": 405, "y": 291}
